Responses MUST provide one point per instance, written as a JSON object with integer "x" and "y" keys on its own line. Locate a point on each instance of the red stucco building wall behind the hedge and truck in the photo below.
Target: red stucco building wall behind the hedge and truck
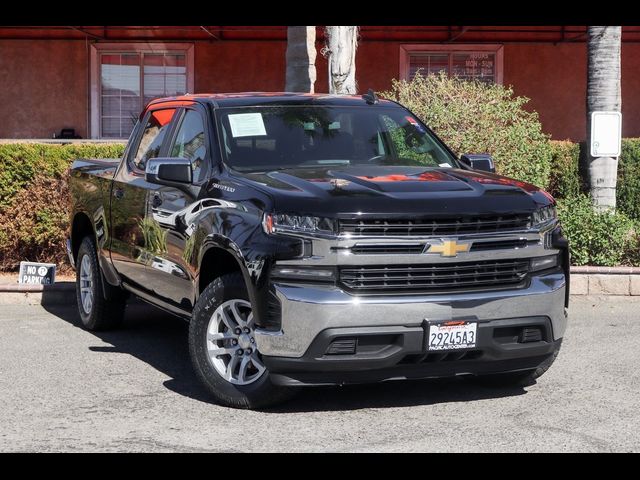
{"x": 44, "y": 83}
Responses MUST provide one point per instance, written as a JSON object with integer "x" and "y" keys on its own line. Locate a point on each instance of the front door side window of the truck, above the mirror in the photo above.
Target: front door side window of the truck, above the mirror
{"x": 191, "y": 142}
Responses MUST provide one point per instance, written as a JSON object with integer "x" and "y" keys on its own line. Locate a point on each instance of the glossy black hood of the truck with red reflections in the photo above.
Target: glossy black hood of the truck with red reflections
{"x": 344, "y": 191}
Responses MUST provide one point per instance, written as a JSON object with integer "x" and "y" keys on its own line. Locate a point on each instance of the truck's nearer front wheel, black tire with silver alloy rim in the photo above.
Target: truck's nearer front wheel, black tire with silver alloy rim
{"x": 235, "y": 378}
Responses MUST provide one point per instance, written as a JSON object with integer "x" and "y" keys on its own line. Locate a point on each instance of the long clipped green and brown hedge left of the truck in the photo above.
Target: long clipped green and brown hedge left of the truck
{"x": 34, "y": 198}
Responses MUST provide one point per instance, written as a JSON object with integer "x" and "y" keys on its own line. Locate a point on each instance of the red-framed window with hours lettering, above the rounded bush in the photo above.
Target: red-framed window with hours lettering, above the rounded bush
{"x": 469, "y": 62}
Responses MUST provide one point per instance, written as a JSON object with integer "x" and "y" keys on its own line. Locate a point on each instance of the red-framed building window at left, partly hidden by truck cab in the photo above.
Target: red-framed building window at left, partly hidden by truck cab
{"x": 125, "y": 77}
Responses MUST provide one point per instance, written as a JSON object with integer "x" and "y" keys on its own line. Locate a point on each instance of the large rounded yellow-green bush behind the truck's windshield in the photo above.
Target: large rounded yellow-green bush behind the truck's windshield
{"x": 476, "y": 117}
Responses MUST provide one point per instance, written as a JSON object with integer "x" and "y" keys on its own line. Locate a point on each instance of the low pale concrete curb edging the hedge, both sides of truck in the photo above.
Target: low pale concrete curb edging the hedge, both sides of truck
{"x": 623, "y": 281}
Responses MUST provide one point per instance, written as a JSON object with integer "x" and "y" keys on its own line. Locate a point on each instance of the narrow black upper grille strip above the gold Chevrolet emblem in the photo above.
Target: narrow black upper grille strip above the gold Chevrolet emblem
{"x": 435, "y": 226}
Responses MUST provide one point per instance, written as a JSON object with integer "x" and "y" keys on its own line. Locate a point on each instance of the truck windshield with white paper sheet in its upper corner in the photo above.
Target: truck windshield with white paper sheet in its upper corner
{"x": 275, "y": 138}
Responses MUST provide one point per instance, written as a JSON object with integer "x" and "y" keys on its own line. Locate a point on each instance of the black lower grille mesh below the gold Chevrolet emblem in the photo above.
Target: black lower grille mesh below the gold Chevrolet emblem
{"x": 379, "y": 279}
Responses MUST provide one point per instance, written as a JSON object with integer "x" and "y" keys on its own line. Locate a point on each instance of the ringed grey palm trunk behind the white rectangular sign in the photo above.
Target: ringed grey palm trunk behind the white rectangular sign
{"x": 603, "y": 93}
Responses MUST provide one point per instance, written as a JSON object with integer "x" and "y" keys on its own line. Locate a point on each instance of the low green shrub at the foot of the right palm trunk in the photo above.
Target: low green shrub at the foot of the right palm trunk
{"x": 598, "y": 238}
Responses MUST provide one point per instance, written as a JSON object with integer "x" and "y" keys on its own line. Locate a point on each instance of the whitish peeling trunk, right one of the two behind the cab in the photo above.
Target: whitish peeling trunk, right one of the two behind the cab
{"x": 341, "y": 45}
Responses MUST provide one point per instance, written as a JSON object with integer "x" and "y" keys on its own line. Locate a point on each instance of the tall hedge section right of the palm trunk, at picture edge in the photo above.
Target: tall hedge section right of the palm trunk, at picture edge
{"x": 628, "y": 188}
